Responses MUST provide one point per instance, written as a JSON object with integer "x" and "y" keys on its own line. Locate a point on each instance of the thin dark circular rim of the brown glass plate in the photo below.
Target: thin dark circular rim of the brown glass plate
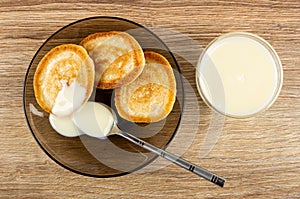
{"x": 123, "y": 172}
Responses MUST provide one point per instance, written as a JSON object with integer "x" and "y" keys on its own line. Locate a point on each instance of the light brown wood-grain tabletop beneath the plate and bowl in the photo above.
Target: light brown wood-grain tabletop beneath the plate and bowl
{"x": 259, "y": 156}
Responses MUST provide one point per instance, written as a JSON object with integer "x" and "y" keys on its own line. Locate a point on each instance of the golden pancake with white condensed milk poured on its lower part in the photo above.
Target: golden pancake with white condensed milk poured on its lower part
{"x": 64, "y": 79}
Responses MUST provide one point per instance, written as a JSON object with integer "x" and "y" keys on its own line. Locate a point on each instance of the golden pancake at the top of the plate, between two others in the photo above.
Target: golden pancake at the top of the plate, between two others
{"x": 118, "y": 58}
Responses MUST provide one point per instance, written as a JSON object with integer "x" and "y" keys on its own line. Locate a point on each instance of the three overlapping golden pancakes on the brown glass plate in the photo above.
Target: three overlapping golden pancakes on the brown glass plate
{"x": 144, "y": 82}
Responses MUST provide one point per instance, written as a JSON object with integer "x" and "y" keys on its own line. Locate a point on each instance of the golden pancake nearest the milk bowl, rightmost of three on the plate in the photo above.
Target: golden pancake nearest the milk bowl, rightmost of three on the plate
{"x": 150, "y": 97}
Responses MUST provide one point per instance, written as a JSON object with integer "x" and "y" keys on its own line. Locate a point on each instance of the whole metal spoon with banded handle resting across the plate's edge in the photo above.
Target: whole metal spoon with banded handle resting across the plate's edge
{"x": 171, "y": 157}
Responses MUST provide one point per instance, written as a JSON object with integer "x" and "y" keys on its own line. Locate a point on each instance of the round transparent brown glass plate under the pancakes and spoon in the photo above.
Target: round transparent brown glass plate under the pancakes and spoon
{"x": 89, "y": 156}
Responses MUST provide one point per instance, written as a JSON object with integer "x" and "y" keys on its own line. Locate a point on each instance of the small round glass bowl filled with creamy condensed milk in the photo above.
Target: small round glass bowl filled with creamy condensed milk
{"x": 239, "y": 74}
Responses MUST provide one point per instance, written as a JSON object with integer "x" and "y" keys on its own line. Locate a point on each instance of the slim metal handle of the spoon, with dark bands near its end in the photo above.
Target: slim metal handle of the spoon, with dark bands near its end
{"x": 175, "y": 159}
